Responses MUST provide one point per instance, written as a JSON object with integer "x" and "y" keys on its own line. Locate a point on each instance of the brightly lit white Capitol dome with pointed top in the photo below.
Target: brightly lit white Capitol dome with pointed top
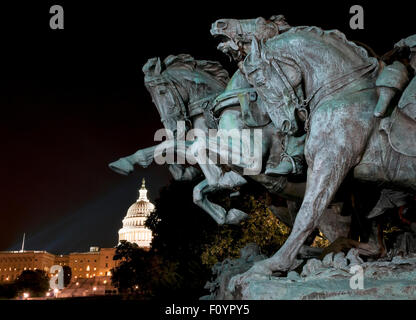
{"x": 133, "y": 229}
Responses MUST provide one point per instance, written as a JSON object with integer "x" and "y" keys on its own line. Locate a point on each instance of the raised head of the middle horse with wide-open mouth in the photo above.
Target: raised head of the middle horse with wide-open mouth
{"x": 235, "y": 35}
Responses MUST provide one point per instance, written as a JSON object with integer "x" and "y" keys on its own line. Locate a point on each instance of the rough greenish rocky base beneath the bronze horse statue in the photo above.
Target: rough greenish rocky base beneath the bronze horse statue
{"x": 336, "y": 277}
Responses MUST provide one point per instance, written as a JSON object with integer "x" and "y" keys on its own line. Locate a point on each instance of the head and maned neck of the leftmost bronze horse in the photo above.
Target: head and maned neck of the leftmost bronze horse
{"x": 179, "y": 82}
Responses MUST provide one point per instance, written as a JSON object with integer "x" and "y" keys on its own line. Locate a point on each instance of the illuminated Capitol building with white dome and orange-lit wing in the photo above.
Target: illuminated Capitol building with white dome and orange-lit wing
{"x": 90, "y": 269}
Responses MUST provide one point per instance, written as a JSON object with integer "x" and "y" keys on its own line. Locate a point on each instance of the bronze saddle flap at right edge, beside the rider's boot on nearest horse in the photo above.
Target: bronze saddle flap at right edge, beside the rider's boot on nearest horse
{"x": 401, "y": 130}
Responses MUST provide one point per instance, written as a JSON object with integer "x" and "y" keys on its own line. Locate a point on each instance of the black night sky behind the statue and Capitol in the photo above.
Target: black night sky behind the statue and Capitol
{"x": 73, "y": 100}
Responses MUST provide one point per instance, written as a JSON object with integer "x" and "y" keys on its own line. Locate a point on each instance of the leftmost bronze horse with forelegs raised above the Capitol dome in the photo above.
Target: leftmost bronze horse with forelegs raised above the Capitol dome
{"x": 182, "y": 88}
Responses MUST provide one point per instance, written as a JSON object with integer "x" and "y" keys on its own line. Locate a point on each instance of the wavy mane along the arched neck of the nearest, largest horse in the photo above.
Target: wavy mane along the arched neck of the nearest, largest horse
{"x": 336, "y": 35}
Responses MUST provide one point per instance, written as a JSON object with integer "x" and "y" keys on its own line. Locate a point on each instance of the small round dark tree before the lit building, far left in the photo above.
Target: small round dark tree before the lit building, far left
{"x": 36, "y": 282}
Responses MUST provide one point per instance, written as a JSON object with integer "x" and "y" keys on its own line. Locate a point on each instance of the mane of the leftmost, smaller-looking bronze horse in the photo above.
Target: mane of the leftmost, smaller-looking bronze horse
{"x": 212, "y": 68}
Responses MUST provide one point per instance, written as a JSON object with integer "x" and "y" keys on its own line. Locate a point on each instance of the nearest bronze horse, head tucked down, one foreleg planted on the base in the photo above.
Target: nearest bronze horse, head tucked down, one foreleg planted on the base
{"x": 337, "y": 80}
